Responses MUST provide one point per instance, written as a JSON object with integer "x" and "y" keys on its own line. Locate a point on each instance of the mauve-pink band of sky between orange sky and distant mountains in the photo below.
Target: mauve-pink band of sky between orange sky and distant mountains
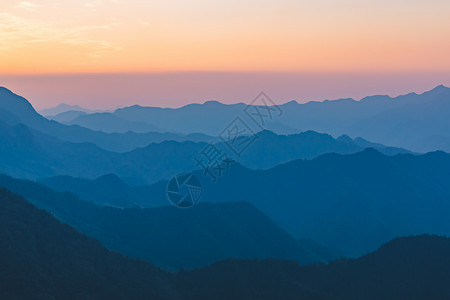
{"x": 105, "y": 91}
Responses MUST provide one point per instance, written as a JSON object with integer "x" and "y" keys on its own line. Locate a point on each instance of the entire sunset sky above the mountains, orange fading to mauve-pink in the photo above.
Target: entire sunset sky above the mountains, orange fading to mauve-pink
{"x": 71, "y": 38}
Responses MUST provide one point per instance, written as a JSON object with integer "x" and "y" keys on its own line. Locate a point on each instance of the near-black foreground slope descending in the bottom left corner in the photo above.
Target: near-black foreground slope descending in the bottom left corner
{"x": 41, "y": 258}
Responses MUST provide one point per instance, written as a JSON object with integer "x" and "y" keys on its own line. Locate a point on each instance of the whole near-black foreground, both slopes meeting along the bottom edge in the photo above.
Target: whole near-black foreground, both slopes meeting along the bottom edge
{"x": 41, "y": 258}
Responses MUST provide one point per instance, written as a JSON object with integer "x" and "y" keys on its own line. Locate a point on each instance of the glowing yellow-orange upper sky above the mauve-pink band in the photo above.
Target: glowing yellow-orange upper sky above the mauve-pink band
{"x": 50, "y": 36}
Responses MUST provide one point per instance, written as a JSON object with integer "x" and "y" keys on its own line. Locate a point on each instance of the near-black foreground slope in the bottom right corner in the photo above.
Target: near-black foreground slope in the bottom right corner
{"x": 415, "y": 268}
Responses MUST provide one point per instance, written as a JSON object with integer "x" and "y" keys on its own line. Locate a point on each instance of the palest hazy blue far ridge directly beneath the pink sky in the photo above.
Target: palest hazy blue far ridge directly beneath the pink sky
{"x": 412, "y": 121}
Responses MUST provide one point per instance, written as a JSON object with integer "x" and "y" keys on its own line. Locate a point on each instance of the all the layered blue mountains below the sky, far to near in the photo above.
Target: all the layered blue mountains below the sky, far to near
{"x": 269, "y": 227}
